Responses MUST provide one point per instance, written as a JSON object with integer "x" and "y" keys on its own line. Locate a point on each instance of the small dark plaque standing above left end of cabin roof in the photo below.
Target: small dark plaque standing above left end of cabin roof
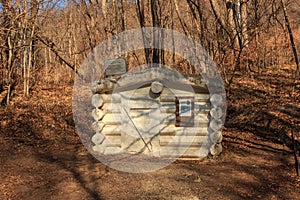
{"x": 115, "y": 66}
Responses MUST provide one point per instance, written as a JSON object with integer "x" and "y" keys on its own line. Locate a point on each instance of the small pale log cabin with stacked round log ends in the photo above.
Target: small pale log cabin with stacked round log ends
{"x": 137, "y": 113}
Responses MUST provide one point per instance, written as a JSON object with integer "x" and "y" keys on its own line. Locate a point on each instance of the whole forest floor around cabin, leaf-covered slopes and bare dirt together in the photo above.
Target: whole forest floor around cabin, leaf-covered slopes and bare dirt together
{"x": 41, "y": 157}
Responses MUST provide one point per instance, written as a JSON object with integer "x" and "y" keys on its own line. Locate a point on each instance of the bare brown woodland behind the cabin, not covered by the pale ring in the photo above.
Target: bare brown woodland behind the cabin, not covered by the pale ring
{"x": 46, "y": 41}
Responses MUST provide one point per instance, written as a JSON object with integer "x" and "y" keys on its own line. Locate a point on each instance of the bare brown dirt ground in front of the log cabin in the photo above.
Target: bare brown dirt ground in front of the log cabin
{"x": 60, "y": 171}
